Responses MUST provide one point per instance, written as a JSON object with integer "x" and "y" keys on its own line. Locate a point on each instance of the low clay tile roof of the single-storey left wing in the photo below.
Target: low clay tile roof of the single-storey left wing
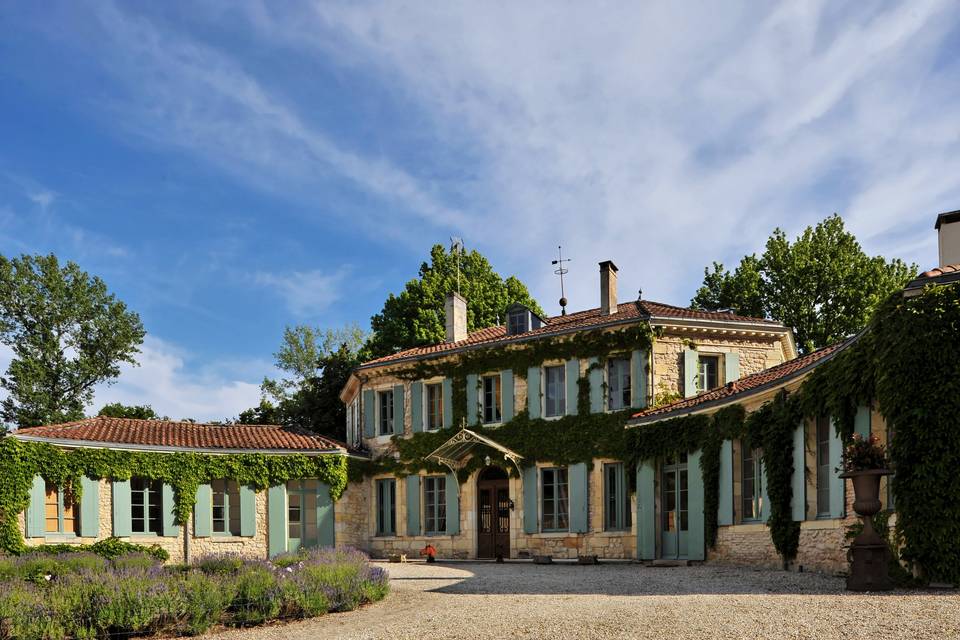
{"x": 185, "y": 435}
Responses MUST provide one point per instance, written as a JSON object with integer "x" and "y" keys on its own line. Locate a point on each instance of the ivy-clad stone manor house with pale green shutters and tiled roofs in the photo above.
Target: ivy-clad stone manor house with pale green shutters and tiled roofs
{"x": 699, "y": 362}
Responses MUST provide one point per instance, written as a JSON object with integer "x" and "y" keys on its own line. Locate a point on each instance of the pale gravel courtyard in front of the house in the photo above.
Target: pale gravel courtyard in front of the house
{"x": 479, "y": 600}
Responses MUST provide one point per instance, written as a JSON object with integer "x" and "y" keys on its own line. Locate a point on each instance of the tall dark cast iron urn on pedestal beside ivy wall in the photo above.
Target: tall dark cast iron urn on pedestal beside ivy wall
{"x": 869, "y": 553}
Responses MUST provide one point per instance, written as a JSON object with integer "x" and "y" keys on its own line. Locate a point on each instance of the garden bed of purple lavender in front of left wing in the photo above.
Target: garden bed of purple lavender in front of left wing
{"x": 85, "y": 596}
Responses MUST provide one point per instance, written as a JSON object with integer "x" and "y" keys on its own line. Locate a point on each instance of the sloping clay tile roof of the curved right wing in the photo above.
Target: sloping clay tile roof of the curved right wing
{"x": 729, "y": 392}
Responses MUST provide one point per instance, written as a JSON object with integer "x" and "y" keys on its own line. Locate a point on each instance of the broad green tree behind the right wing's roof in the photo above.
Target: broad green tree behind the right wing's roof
{"x": 823, "y": 285}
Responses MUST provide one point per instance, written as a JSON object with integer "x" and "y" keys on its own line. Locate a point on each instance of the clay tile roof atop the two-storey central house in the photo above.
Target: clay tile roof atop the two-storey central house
{"x": 627, "y": 311}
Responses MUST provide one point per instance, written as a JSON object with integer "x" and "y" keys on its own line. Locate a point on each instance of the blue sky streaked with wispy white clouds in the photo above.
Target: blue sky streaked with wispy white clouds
{"x": 231, "y": 168}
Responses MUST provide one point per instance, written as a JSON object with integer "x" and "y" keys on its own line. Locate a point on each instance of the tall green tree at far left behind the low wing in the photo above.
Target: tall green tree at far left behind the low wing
{"x": 68, "y": 334}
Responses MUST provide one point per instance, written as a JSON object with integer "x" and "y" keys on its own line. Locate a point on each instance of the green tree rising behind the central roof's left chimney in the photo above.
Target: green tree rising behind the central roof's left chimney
{"x": 416, "y": 316}
